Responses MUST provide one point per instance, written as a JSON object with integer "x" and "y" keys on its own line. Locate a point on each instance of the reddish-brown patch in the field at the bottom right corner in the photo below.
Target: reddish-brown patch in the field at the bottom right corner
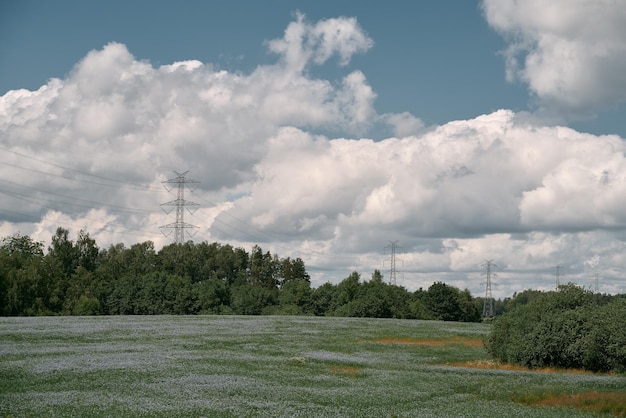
{"x": 611, "y": 403}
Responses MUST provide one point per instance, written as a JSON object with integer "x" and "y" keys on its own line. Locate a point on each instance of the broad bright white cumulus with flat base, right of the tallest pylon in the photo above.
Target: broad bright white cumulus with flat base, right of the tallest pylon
{"x": 491, "y": 174}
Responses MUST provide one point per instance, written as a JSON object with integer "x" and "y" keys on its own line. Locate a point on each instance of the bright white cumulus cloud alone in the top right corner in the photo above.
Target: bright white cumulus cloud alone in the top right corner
{"x": 572, "y": 55}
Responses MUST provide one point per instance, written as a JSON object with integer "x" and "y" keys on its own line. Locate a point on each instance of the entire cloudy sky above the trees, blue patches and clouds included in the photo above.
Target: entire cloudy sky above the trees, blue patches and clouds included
{"x": 462, "y": 131}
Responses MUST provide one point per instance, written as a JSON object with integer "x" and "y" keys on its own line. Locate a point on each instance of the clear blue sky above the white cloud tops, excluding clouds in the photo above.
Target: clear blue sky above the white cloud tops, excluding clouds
{"x": 439, "y": 60}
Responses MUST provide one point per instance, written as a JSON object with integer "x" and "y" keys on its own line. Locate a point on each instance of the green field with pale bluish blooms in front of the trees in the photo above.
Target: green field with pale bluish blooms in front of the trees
{"x": 268, "y": 366}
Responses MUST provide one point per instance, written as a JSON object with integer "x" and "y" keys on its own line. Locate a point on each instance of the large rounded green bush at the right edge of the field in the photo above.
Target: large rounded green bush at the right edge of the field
{"x": 565, "y": 329}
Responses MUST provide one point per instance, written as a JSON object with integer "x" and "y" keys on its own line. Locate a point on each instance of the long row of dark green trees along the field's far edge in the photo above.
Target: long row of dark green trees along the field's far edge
{"x": 76, "y": 277}
